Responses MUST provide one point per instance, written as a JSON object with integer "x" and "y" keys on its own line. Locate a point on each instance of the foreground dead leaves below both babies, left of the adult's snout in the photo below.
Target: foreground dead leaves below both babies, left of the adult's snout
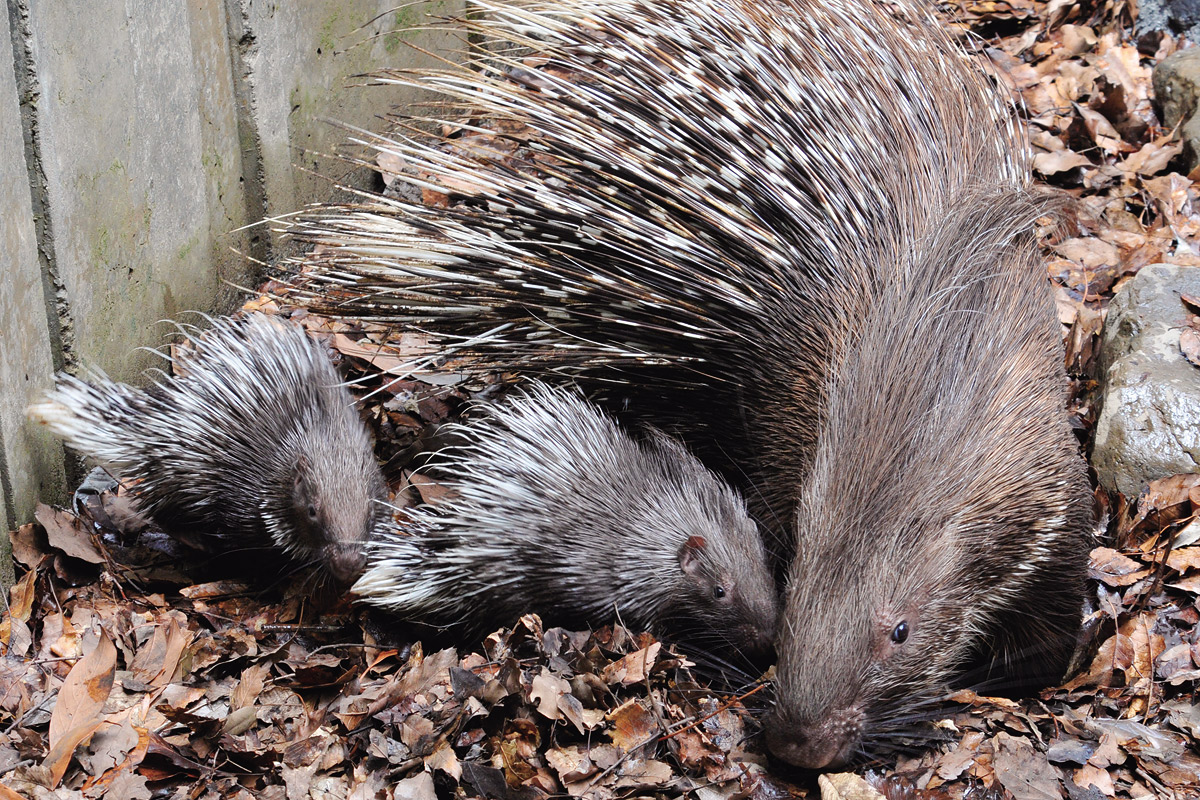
{"x": 213, "y": 691}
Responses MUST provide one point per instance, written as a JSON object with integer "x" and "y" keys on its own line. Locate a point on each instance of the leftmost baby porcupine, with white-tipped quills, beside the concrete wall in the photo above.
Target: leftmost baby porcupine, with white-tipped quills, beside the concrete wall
{"x": 256, "y": 444}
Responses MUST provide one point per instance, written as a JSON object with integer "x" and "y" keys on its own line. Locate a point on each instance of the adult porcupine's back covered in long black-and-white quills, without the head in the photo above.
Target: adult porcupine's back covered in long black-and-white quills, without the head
{"x": 713, "y": 187}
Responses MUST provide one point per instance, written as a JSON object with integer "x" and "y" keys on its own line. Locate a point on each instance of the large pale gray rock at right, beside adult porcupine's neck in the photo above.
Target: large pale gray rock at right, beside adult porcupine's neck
{"x": 1149, "y": 425}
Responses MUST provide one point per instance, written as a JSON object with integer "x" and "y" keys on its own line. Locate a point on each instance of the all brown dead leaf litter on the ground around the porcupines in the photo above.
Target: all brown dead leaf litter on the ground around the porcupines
{"x": 128, "y": 672}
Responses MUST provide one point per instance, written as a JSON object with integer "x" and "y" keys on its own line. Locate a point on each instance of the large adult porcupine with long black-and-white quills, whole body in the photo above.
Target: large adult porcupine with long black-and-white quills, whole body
{"x": 814, "y": 212}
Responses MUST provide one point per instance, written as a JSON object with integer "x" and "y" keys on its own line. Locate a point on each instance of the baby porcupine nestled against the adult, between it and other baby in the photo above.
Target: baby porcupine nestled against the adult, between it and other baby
{"x": 560, "y": 512}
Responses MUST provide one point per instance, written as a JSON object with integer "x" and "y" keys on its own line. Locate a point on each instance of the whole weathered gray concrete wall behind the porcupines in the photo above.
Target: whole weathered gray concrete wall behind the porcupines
{"x": 137, "y": 142}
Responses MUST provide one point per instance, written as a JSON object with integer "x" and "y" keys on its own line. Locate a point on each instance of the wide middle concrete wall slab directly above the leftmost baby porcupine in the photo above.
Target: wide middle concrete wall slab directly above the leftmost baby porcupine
{"x": 139, "y": 142}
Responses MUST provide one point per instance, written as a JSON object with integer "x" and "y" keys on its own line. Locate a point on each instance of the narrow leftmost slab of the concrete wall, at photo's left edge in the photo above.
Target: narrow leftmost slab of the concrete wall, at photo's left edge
{"x": 31, "y": 461}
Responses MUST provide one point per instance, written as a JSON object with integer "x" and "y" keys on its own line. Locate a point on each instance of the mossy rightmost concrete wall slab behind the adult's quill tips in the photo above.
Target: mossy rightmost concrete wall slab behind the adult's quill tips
{"x": 299, "y": 67}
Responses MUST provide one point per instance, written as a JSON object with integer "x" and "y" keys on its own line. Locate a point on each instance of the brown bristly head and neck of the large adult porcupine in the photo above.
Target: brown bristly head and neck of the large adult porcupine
{"x": 941, "y": 532}
